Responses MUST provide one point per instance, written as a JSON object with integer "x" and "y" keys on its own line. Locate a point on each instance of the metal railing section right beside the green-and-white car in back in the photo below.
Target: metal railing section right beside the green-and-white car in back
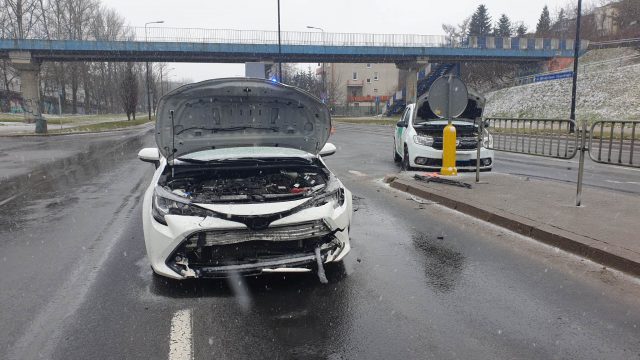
{"x": 555, "y": 138}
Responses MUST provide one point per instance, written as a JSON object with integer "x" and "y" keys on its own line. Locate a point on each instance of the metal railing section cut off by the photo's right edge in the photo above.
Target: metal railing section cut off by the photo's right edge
{"x": 614, "y": 142}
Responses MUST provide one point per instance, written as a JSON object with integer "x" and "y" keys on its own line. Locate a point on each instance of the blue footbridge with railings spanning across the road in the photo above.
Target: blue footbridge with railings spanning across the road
{"x": 160, "y": 44}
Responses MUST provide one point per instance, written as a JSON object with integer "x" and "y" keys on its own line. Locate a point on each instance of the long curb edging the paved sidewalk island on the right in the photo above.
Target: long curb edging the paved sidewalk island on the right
{"x": 547, "y": 234}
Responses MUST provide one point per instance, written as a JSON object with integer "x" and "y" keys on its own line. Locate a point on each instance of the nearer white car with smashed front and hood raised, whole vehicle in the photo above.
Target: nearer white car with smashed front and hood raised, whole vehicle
{"x": 240, "y": 185}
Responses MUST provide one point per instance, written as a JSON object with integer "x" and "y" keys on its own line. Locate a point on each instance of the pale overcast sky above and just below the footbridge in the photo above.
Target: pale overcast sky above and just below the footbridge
{"x": 357, "y": 16}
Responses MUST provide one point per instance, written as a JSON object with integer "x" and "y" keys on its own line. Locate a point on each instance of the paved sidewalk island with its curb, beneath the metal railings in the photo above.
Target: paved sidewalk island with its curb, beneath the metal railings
{"x": 605, "y": 229}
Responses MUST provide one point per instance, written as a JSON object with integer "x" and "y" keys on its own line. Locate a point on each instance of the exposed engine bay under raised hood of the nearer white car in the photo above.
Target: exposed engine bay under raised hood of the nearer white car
{"x": 258, "y": 183}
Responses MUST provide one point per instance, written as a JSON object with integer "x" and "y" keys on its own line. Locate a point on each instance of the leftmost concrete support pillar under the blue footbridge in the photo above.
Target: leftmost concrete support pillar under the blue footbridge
{"x": 29, "y": 71}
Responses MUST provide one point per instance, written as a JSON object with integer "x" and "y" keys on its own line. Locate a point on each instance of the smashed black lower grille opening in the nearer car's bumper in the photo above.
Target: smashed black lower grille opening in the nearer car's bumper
{"x": 292, "y": 248}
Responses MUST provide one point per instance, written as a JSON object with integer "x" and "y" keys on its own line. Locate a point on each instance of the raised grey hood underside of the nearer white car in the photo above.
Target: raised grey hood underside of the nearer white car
{"x": 240, "y": 112}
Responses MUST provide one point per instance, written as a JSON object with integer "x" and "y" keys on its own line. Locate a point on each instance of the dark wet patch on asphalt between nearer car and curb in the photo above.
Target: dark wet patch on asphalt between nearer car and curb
{"x": 443, "y": 266}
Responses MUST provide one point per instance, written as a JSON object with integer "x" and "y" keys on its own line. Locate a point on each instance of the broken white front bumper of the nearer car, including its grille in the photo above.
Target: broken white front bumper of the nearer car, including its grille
{"x": 215, "y": 247}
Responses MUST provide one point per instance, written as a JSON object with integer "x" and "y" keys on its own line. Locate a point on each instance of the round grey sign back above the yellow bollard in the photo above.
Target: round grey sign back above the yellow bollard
{"x": 448, "y": 97}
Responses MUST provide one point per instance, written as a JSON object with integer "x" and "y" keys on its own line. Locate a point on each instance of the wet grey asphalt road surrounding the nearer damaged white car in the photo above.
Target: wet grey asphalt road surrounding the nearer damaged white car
{"x": 421, "y": 282}
